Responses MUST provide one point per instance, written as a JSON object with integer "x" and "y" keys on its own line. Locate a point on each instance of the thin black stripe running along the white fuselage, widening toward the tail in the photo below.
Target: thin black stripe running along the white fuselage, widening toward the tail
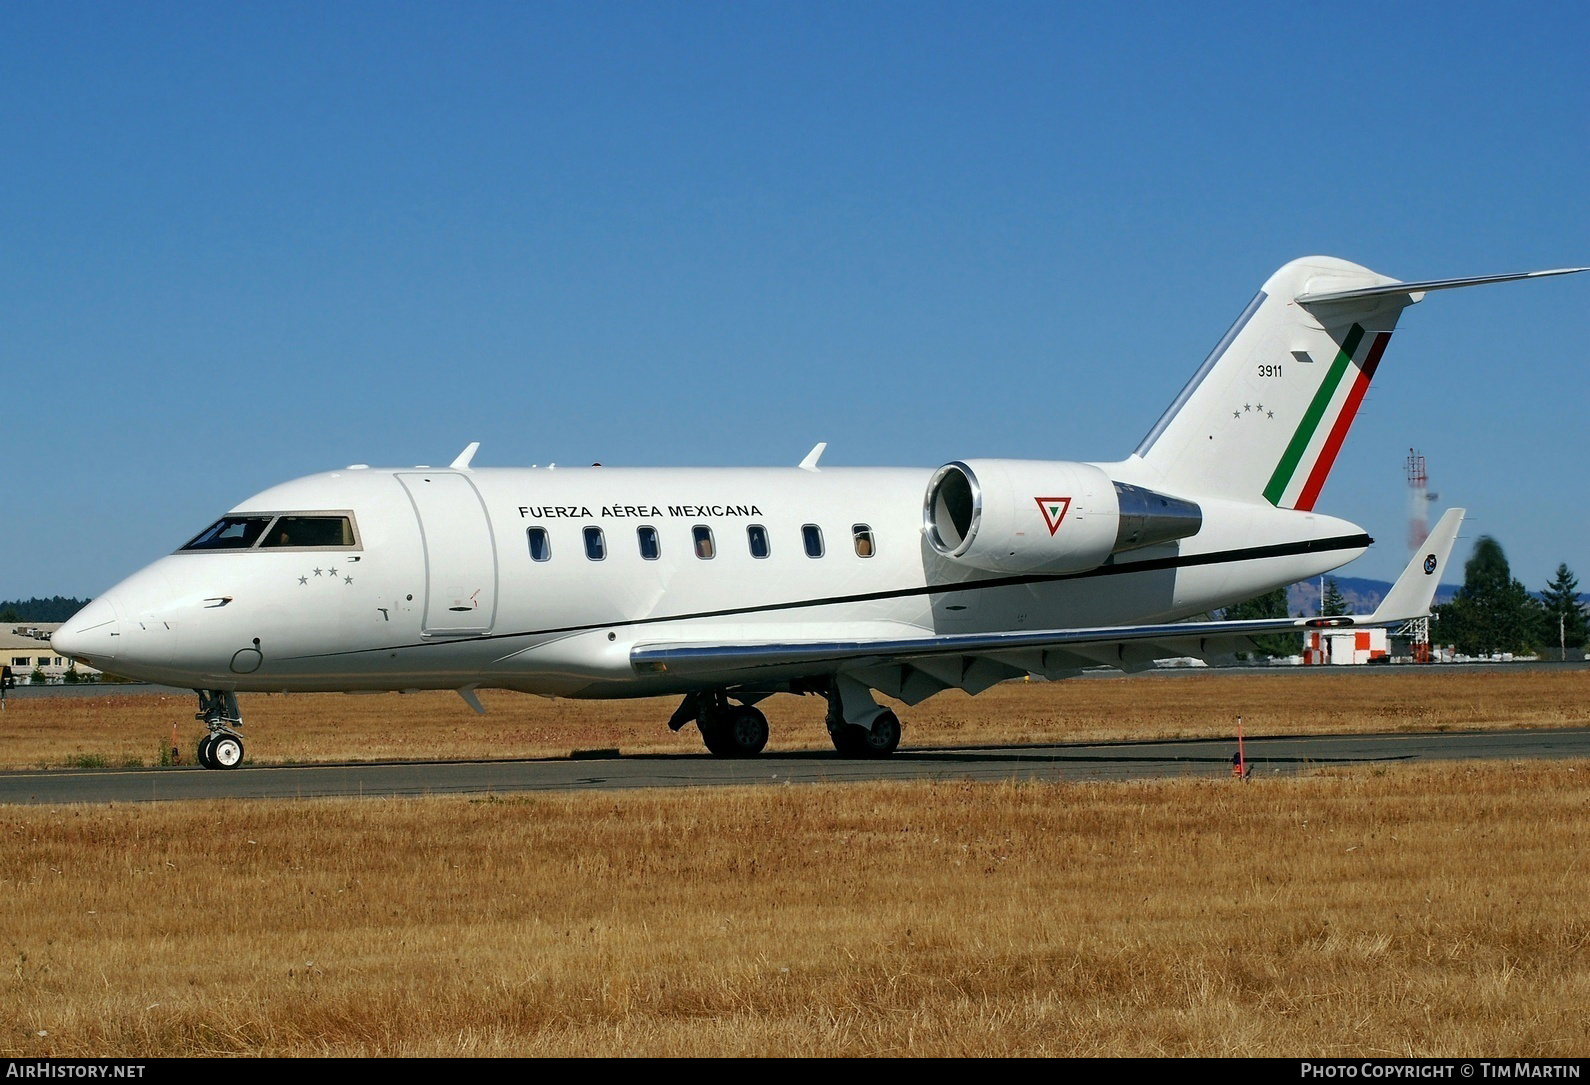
{"x": 1222, "y": 558}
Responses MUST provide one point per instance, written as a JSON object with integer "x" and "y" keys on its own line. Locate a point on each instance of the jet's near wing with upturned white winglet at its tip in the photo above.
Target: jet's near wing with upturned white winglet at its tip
{"x": 975, "y": 661}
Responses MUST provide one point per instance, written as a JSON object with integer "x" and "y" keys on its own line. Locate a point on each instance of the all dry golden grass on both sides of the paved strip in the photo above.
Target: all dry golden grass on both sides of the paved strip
{"x": 1387, "y": 911}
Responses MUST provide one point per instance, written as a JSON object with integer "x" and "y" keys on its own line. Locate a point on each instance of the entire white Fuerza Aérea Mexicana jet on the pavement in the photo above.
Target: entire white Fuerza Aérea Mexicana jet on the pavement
{"x": 729, "y": 586}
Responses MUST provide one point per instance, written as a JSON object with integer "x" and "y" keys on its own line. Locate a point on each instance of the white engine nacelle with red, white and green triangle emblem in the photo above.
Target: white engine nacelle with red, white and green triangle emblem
{"x": 1045, "y": 516}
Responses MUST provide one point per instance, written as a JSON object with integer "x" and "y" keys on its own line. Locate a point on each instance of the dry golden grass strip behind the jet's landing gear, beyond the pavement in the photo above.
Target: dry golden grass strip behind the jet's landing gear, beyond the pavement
{"x": 131, "y": 729}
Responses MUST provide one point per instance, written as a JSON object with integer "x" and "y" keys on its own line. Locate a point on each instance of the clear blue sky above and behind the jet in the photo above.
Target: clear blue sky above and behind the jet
{"x": 249, "y": 243}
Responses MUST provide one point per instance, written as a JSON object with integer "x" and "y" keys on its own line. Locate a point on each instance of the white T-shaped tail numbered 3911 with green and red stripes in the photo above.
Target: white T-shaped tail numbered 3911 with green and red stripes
{"x": 1266, "y": 414}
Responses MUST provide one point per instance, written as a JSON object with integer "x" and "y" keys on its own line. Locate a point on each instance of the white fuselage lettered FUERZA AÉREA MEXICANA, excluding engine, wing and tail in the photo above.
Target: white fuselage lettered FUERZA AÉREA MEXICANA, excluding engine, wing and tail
{"x": 543, "y": 580}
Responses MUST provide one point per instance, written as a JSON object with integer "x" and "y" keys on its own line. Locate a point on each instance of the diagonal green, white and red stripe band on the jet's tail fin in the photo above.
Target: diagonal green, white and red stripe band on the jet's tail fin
{"x": 1317, "y": 443}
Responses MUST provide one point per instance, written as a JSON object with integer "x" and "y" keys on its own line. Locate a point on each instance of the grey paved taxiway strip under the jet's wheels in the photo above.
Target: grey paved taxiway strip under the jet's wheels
{"x": 1109, "y": 761}
